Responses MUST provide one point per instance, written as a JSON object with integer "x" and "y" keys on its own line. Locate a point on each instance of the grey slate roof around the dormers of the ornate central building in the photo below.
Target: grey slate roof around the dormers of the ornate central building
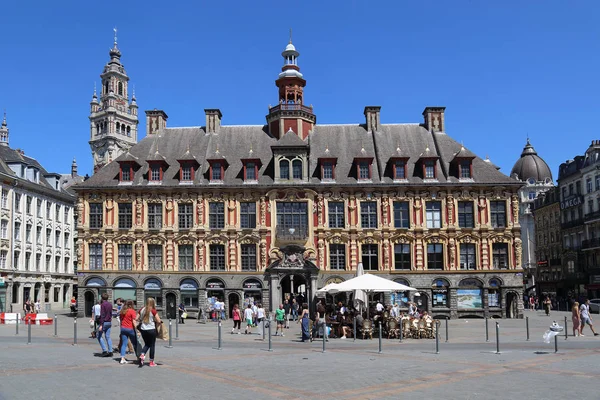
{"x": 344, "y": 142}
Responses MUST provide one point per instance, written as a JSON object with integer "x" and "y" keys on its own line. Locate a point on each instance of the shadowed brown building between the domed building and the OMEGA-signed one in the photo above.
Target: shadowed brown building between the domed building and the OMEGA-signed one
{"x": 551, "y": 277}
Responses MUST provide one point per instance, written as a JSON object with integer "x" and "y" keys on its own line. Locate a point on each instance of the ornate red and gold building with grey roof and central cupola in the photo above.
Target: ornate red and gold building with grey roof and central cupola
{"x": 262, "y": 211}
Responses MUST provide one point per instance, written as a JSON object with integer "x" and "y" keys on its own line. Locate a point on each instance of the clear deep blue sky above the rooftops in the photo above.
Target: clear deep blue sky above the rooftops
{"x": 504, "y": 70}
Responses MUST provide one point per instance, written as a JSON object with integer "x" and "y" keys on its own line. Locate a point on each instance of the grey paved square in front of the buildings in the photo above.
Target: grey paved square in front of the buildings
{"x": 467, "y": 367}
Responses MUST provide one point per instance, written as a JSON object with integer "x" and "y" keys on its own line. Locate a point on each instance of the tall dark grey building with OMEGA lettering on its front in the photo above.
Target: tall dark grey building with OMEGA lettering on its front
{"x": 572, "y": 222}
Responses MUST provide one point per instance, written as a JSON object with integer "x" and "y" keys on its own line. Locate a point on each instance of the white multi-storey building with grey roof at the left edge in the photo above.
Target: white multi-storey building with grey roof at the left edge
{"x": 36, "y": 232}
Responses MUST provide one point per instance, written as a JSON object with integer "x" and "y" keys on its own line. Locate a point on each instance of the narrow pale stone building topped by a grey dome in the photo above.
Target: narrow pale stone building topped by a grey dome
{"x": 536, "y": 176}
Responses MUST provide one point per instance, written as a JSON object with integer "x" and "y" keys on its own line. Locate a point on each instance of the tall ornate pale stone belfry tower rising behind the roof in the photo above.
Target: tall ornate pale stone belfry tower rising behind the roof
{"x": 113, "y": 117}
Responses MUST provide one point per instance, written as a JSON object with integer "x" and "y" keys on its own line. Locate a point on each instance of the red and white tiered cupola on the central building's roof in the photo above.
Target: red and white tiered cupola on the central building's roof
{"x": 291, "y": 113}
